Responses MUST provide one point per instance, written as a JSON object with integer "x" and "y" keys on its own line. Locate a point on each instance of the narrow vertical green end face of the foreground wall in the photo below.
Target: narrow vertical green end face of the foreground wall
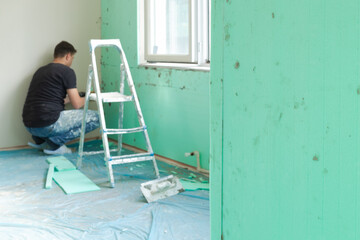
{"x": 216, "y": 117}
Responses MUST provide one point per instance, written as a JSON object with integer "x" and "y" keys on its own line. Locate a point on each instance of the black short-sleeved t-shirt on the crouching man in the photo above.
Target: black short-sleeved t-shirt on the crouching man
{"x": 45, "y": 98}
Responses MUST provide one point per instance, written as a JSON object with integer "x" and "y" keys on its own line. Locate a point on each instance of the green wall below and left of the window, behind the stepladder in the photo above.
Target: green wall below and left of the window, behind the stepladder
{"x": 175, "y": 103}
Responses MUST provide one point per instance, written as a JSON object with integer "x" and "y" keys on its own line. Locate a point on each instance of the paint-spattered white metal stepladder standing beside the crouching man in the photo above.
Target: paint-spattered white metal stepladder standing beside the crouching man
{"x": 114, "y": 97}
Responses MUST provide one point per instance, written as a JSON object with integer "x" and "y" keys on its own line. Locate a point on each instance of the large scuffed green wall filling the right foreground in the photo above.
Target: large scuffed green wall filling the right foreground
{"x": 290, "y": 120}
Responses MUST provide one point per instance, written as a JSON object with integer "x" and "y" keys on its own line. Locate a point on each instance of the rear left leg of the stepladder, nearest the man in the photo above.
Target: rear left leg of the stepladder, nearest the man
{"x": 82, "y": 134}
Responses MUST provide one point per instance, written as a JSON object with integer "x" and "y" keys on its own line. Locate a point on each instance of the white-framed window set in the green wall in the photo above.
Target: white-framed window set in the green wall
{"x": 174, "y": 31}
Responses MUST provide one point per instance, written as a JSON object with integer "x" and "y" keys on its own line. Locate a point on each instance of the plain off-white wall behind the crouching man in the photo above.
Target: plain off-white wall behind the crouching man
{"x": 29, "y": 31}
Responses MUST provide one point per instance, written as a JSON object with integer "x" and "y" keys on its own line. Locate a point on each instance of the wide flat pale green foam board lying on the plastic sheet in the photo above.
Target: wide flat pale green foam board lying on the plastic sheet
{"x": 74, "y": 182}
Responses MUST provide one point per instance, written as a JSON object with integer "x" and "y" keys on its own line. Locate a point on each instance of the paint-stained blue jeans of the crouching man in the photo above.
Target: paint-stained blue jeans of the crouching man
{"x": 66, "y": 128}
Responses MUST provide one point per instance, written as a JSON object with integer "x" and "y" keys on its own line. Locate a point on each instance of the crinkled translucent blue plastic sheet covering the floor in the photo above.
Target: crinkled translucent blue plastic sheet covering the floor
{"x": 29, "y": 211}
